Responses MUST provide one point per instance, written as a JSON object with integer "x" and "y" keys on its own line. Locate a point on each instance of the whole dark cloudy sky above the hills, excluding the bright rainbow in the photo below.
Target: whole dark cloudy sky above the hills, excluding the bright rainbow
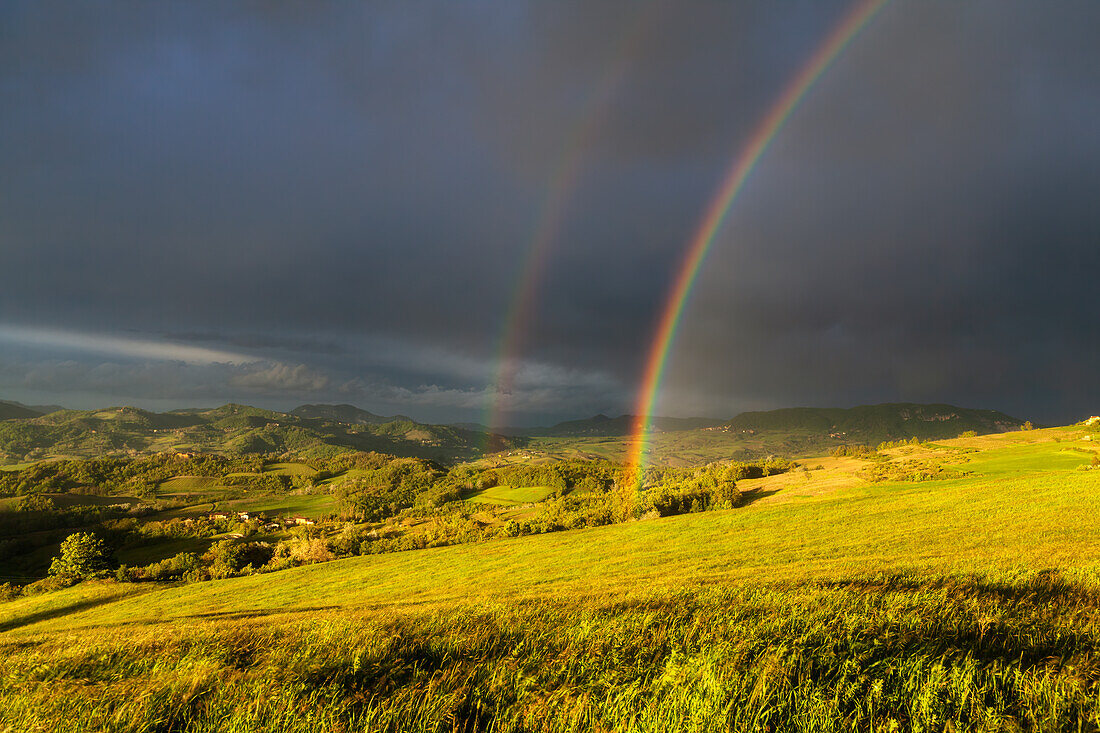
{"x": 370, "y": 203}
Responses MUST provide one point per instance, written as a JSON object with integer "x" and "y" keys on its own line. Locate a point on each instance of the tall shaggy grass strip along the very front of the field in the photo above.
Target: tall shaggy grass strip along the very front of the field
{"x": 883, "y": 652}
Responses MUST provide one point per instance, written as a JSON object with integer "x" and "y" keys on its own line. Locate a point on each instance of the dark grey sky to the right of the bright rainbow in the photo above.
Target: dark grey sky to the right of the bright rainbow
{"x": 925, "y": 229}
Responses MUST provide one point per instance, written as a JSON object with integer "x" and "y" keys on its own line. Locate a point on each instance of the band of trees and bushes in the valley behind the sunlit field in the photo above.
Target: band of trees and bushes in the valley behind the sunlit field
{"x": 383, "y": 505}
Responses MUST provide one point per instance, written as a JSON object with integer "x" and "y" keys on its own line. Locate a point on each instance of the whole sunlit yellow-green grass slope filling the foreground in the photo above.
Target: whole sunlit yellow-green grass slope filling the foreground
{"x": 966, "y": 604}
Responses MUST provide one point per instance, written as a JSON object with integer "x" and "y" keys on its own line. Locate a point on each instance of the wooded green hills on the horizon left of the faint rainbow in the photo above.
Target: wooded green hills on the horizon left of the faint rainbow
{"x": 229, "y": 430}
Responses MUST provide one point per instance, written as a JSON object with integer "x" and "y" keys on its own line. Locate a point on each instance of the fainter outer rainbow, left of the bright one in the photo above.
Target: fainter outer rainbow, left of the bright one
{"x": 552, "y": 214}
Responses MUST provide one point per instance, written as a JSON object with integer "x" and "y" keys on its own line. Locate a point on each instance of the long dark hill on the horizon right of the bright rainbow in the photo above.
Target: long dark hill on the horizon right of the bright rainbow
{"x": 878, "y": 423}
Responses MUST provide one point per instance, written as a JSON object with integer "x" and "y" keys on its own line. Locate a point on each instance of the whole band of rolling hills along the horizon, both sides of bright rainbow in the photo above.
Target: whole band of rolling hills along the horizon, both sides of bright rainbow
{"x": 322, "y": 430}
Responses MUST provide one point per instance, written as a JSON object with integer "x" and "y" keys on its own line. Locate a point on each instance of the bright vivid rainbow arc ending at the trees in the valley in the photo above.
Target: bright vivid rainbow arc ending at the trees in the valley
{"x": 716, "y": 215}
